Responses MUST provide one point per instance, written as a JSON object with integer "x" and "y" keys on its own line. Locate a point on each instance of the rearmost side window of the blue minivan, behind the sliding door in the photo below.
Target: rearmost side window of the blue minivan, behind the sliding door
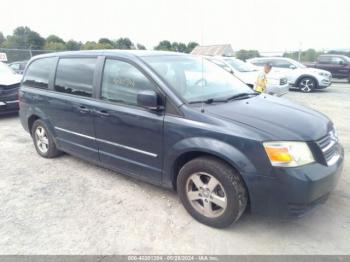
{"x": 38, "y": 73}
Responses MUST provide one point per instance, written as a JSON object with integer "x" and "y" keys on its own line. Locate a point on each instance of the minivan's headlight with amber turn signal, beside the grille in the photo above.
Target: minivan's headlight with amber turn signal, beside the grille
{"x": 288, "y": 154}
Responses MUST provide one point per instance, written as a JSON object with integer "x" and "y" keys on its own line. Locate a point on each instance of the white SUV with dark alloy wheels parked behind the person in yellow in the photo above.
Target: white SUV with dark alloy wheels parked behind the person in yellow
{"x": 299, "y": 76}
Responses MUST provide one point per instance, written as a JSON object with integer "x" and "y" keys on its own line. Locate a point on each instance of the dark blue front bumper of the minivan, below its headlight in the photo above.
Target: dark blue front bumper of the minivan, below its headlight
{"x": 293, "y": 191}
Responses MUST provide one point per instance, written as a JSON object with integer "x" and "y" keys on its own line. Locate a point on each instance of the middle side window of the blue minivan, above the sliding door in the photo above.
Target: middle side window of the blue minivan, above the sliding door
{"x": 75, "y": 76}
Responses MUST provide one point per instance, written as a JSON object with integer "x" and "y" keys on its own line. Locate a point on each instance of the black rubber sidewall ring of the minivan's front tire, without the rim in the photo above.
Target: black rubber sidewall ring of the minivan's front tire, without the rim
{"x": 225, "y": 174}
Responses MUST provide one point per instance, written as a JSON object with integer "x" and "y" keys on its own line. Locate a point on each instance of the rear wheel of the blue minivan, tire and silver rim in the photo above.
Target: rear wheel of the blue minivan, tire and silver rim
{"x": 43, "y": 140}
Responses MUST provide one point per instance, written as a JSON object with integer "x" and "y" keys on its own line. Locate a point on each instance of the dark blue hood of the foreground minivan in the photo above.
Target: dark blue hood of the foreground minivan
{"x": 277, "y": 117}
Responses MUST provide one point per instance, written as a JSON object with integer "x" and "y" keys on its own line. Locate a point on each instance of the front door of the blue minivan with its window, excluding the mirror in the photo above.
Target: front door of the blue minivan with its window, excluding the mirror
{"x": 129, "y": 137}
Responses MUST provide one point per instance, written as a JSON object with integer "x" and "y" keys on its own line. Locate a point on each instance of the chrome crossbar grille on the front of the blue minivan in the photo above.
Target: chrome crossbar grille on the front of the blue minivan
{"x": 329, "y": 147}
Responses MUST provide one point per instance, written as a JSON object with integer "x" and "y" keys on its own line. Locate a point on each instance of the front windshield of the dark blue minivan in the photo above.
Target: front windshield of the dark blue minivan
{"x": 196, "y": 79}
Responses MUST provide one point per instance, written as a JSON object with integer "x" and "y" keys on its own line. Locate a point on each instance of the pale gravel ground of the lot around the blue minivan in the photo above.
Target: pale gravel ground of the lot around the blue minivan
{"x": 68, "y": 206}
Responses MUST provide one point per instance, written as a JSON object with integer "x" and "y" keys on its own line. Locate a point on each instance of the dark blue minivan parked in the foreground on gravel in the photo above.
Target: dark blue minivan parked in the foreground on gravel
{"x": 182, "y": 122}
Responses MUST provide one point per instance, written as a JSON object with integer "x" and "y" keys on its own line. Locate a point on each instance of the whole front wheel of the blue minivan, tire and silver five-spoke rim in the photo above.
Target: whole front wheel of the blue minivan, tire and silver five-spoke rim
{"x": 212, "y": 191}
